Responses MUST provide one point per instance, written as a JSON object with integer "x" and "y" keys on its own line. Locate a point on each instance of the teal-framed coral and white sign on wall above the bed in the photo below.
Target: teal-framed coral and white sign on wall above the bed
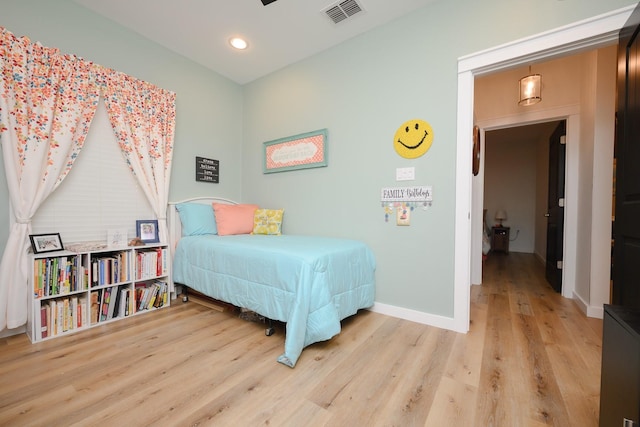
{"x": 302, "y": 151}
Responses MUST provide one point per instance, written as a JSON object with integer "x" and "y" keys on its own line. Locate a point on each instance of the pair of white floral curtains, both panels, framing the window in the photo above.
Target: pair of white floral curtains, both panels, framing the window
{"x": 47, "y": 102}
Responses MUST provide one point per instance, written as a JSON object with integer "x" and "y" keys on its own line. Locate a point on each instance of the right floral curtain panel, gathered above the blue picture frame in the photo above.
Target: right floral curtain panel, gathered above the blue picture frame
{"x": 143, "y": 119}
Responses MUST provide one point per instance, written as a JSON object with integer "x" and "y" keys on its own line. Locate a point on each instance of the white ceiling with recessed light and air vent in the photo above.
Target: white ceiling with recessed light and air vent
{"x": 279, "y": 34}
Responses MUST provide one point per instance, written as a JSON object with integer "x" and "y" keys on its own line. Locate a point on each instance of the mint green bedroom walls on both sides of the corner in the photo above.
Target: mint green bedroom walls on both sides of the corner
{"x": 362, "y": 91}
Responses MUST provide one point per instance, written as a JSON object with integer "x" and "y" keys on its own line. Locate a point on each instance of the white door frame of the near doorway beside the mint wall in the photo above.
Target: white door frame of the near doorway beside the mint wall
{"x": 598, "y": 31}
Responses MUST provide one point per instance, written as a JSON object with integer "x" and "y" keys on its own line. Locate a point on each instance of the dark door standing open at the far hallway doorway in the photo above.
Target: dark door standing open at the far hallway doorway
{"x": 555, "y": 207}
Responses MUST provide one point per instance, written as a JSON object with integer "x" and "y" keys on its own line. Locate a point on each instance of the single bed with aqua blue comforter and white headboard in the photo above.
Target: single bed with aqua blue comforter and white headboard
{"x": 309, "y": 282}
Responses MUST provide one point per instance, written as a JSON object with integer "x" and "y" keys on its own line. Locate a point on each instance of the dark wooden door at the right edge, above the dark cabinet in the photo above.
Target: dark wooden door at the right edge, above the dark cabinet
{"x": 626, "y": 230}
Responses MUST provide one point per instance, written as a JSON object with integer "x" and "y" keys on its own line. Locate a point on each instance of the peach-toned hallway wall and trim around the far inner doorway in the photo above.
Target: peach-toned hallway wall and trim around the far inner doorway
{"x": 581, "y": 89}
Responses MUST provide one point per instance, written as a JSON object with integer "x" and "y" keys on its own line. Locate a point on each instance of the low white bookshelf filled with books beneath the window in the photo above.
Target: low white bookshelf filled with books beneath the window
{"x": 74, "y": 290}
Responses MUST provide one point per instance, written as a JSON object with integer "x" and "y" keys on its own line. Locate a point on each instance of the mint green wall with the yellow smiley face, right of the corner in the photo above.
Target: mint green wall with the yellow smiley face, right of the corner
{"x": 362, "y": 91}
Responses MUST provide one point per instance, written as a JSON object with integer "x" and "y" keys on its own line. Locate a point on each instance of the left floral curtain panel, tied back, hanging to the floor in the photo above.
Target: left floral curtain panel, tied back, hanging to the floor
{"x": 47, "y": 102}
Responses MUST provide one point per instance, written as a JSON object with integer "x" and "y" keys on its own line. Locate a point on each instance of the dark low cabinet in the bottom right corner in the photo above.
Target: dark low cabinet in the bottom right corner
{"x": 620, "y": 381}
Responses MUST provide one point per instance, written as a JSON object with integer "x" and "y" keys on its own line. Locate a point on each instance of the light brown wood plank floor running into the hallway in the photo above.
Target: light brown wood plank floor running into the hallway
{"x": 531, "y": 358}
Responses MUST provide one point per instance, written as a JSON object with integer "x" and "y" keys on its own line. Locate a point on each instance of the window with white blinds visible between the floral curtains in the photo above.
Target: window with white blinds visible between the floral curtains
{"x": 99, "y": 193}
